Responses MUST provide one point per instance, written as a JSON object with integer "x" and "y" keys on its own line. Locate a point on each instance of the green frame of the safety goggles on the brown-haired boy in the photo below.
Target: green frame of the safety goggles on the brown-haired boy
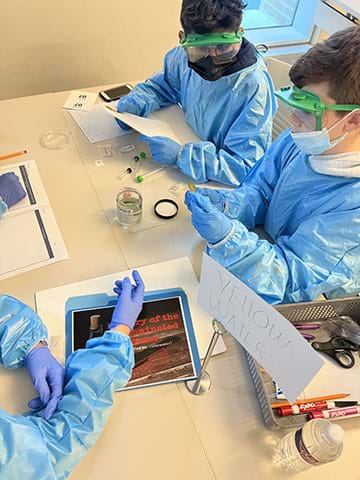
{"x": 310, "y": 103}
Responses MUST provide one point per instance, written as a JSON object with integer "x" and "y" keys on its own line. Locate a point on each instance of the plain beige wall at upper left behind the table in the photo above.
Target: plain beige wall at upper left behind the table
{"x": 59, "y": 45}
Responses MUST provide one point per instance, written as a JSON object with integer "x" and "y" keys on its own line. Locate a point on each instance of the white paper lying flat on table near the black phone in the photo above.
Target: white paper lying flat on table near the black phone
{"x": 97, "y": 125}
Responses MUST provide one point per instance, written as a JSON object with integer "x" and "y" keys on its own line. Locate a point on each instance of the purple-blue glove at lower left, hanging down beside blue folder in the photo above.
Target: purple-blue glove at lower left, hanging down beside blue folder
{"x": 48, "y": 377}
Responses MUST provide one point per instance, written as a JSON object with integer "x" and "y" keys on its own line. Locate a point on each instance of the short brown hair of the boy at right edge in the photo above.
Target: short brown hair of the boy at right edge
{"x": 337, "y": 61}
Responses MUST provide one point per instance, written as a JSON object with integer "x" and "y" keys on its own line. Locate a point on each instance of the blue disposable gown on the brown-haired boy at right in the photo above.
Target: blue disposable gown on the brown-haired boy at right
{"x": 313, "y": 219}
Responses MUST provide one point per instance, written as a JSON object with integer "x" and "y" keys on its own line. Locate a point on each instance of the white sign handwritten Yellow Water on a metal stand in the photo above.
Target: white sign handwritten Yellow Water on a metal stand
{"x": 262, "y": 331}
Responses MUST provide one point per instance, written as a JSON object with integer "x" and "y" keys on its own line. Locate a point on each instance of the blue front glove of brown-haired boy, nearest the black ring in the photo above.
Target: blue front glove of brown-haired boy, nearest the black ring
{"x": 211, "y": 224}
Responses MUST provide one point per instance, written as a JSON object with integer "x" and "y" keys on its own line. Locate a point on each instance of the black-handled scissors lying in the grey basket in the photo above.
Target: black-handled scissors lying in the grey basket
{"x": 340, "y": 349}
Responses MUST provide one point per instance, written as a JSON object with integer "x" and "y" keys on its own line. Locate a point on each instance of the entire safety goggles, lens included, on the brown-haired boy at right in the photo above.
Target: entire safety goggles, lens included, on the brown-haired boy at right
{"x": 308, "y": 109}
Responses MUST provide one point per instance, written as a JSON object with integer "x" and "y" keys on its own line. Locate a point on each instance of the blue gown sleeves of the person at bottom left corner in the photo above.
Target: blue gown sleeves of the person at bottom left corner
{"x": 33, "y": 448}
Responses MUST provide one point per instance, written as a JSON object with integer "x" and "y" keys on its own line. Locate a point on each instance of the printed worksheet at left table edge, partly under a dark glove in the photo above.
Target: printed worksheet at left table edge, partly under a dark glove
{"x": 29, "y": 235}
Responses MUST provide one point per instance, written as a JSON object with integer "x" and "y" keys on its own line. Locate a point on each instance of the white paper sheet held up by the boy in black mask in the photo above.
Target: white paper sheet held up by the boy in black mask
{"x": 146, "y": 126}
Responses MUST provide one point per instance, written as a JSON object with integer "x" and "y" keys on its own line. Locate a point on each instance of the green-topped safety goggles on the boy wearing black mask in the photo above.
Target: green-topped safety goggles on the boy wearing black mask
{"x": 222, "y": 47}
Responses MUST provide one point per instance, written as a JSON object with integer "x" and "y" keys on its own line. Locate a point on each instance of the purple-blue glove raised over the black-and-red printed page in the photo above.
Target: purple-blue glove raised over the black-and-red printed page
{"x": 130, "y": 301}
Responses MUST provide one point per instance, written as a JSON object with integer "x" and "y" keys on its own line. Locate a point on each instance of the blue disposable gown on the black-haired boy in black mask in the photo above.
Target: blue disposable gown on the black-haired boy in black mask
{"x": 233, "y": 116}
